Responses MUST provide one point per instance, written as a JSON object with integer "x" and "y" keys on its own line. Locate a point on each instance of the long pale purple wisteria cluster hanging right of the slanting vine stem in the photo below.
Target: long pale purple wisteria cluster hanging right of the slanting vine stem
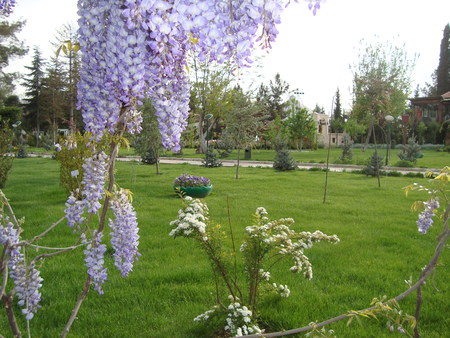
{"x": 124, "y": 235}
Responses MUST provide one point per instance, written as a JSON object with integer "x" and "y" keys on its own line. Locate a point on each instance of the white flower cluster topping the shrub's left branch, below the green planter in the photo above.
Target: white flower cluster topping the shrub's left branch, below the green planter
{"x": 192, "y": 220}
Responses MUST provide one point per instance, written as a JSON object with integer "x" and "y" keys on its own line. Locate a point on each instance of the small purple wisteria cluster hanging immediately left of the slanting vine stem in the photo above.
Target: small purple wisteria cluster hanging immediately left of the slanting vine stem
{"x": 94, "y": 254}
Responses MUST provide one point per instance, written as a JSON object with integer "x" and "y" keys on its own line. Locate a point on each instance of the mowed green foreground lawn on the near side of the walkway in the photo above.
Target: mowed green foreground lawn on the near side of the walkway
{"x": 172, "y": 282}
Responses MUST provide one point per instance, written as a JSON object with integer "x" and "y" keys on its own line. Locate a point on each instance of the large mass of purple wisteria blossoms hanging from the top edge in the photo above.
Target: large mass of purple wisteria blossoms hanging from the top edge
{"x": 137, "y": 49}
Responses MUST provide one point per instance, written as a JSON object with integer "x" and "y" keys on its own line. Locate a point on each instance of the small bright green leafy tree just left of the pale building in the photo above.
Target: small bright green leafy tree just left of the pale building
{"x": 300, "y": 124}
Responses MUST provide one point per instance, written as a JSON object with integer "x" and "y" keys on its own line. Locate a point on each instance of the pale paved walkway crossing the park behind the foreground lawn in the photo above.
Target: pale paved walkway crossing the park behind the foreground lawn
{"x": 266, "y": 164}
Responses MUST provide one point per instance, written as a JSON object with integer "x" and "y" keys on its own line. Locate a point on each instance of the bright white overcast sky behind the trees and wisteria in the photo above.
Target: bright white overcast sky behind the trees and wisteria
{"x": 312, "y": 53}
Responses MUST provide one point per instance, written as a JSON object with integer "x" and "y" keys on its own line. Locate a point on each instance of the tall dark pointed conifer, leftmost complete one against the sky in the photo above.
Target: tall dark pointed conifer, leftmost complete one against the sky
{"x": 33, "y": 84}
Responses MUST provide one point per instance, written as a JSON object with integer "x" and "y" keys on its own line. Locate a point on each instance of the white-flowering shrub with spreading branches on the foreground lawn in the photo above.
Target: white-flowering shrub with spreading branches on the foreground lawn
{"x": 265, "y": 242}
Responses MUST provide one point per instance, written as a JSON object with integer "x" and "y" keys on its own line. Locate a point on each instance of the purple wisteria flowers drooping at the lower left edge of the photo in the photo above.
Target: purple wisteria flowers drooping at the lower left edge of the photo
{"x": 27, "y": 280}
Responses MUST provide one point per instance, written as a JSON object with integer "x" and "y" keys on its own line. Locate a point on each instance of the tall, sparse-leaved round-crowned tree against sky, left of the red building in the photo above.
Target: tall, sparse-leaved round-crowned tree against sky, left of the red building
{"x": 381, "y": 84}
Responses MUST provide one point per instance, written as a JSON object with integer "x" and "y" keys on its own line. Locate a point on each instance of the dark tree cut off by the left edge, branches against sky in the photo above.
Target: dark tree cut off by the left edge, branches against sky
{"x": 10, "y": 47}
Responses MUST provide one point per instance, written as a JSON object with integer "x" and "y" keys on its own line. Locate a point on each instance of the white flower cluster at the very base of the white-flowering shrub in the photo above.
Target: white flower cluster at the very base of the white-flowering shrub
{"x": 239, "y": 320}
